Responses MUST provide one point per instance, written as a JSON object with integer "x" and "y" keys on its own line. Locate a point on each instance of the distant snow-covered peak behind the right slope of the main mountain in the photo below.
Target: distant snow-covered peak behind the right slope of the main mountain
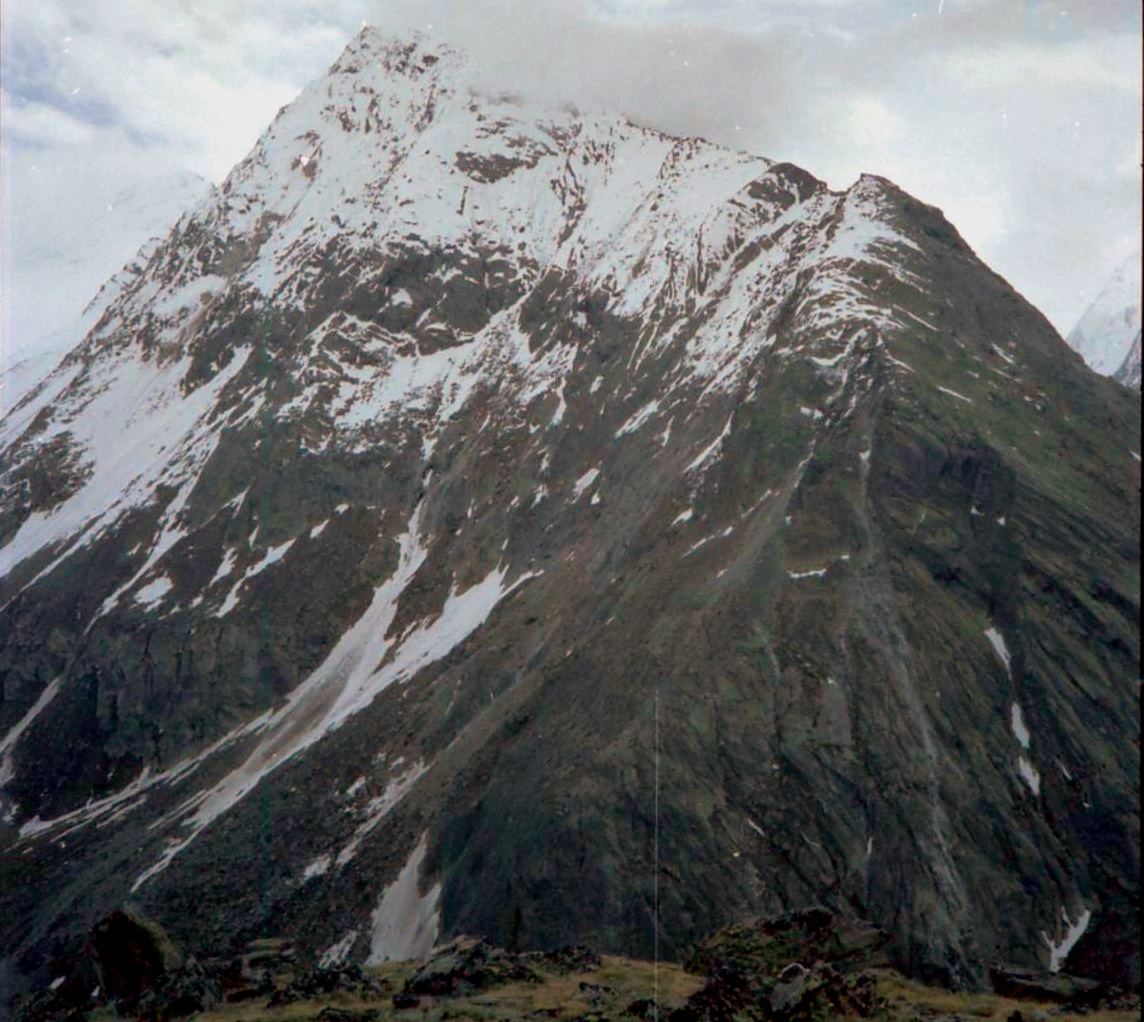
{"x": 1108, "y": 336}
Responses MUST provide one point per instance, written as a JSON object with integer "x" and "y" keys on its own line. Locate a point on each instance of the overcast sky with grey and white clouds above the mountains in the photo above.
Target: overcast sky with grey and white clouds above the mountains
{"x": 1020, "y": 118}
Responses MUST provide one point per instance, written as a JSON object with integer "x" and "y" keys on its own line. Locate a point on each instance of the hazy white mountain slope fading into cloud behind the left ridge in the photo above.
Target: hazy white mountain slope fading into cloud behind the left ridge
{"x": 55, "y": 266}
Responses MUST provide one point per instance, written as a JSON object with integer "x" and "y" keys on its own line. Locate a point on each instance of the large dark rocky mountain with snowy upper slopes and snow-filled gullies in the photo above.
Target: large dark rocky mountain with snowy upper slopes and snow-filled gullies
{"x": 497, "y": 520}
